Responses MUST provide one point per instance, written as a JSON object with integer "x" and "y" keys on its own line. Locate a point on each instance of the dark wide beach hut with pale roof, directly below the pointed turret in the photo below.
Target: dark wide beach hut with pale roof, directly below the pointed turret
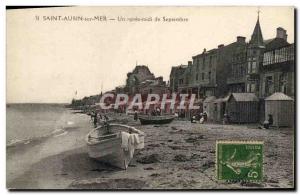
{"x": 243, "y": 108}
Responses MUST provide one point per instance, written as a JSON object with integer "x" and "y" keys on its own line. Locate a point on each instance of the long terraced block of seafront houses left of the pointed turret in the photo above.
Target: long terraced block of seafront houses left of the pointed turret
{"x": 213, "y": 72}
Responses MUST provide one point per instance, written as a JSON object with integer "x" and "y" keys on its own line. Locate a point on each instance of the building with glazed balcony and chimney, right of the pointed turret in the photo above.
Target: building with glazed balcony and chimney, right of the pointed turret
{"x": 278, "y": 67}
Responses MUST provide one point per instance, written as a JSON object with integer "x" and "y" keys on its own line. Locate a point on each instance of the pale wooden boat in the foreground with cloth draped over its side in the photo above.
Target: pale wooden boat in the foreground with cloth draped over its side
{"x": 107, "y": 148}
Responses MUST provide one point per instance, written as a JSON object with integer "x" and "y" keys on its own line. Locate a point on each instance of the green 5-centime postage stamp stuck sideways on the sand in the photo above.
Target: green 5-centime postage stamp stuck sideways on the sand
{"x": 239, "y": 160}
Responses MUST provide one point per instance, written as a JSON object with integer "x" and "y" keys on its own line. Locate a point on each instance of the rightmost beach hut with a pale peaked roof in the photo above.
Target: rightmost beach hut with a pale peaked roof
{"x": 281, "y": 107}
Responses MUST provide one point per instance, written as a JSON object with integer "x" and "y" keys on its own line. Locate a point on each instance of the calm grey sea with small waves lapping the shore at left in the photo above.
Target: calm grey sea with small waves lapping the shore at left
{"x": 25, "y": 122}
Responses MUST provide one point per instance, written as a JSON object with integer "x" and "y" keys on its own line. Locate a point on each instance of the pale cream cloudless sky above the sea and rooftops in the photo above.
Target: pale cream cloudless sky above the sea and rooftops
{"x": 48, "y": 61}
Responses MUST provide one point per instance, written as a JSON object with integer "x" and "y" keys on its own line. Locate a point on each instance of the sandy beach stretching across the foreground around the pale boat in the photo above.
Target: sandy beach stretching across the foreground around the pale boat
{"x": 179, "y": 155}
